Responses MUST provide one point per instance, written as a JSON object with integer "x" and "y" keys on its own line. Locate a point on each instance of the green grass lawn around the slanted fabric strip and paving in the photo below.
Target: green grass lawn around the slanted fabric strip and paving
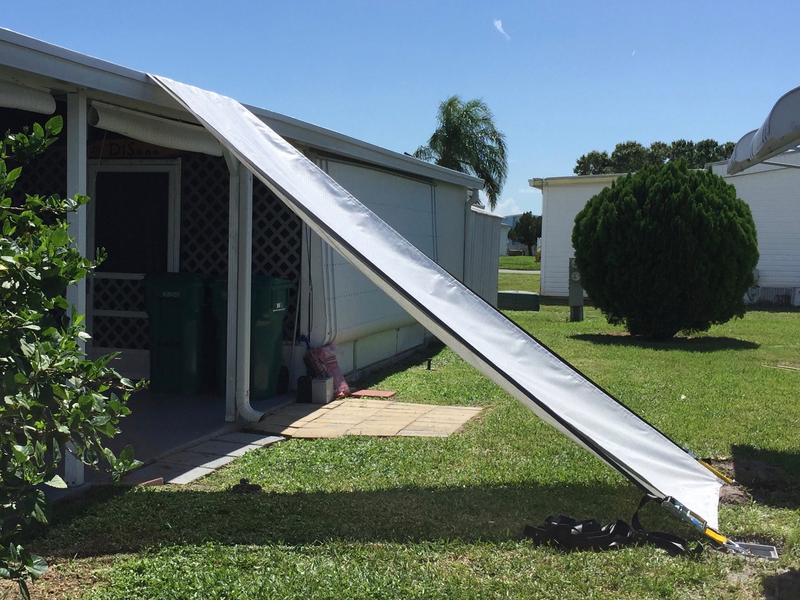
{"x": 441, "y": 518}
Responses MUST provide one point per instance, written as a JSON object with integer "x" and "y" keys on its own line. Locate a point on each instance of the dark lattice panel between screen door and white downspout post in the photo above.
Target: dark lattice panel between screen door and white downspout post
{"x": 204, "y": 215}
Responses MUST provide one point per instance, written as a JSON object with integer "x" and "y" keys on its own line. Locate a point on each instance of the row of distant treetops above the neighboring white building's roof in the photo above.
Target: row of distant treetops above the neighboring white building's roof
{"x": 630, "y": 156}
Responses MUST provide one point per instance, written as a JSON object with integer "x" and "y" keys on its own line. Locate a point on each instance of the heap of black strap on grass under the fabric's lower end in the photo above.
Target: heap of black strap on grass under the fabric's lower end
{"x": 567, "y": 533}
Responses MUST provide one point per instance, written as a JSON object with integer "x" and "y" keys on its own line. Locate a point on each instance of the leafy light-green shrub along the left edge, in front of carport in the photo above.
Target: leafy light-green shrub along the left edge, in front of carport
{"x": 54, "y": 399}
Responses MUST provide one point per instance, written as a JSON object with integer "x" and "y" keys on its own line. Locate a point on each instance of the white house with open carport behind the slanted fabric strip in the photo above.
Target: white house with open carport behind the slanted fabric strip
{"x": 166, "y": 198}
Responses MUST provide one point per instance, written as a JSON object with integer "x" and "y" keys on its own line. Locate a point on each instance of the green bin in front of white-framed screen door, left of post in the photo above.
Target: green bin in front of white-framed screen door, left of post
{"x": 174, "y": 308}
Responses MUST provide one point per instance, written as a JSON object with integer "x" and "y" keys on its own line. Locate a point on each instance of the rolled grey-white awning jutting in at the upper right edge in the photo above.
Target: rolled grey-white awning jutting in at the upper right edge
{"x": 780, "y": 132}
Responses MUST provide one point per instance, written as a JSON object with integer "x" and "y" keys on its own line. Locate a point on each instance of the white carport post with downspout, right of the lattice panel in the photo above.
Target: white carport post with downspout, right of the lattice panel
{"x": 240, "y": 260}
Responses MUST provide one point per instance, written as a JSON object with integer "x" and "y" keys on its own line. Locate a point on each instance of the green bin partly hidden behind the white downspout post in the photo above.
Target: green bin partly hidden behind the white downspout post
{"x": 269, "y": 303}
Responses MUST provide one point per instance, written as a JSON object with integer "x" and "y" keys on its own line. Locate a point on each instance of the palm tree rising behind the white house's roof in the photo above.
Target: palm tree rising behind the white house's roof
{"x": 467, "y": 140}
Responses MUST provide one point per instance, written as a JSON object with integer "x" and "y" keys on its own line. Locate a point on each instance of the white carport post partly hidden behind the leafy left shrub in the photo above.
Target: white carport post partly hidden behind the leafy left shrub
{"x": 76, "y": 184}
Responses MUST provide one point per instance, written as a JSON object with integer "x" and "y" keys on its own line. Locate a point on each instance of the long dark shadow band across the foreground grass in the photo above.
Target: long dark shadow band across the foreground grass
{"x": 112, "y": 521}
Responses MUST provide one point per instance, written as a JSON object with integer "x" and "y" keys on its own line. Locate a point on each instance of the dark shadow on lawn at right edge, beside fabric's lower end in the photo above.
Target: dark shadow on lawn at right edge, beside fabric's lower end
{"x": 772, "y": 477}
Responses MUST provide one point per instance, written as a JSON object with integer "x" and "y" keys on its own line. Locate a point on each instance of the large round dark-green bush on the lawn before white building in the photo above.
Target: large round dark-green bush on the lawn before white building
{"x": 666, "y": 249}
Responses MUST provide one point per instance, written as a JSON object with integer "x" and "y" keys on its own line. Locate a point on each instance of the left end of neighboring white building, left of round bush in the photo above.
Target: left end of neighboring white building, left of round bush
{"x": 562, "y": 199}
